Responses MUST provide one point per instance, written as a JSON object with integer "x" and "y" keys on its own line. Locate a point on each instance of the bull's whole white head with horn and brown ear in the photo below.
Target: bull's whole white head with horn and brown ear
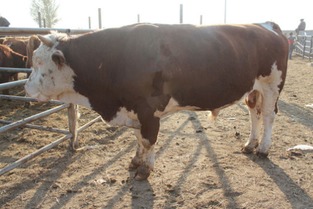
{"x": 51, "y": 77}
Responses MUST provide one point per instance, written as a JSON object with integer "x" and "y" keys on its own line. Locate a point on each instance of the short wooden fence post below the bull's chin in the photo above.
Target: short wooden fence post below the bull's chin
{"x": 73, "y": 124}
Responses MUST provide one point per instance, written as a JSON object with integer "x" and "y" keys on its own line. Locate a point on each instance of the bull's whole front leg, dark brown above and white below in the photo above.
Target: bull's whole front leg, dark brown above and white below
{"x": 145, "y": 156}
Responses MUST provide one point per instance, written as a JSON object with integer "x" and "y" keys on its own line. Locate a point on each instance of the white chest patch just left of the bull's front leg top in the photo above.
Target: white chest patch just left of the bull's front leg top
{"x": 125, "y": 118}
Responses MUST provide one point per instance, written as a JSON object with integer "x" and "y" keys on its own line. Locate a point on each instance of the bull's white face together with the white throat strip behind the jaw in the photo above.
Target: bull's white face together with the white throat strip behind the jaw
{"x": 51, "y": 80}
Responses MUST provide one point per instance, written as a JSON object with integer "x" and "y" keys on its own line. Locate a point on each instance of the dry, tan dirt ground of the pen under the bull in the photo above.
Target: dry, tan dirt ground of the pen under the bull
{"x": 198, "y": 162}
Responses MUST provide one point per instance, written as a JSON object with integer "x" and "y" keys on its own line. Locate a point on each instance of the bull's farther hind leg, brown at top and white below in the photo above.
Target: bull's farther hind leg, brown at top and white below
{"x": 254, "y": 103}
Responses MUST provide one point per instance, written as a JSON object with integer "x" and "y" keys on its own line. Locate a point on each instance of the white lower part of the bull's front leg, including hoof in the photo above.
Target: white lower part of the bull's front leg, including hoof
{"x": 144, "y": 158}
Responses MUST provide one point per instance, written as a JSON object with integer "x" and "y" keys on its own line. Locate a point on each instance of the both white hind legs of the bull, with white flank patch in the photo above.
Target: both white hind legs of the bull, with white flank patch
{"x": 268, "y": 88}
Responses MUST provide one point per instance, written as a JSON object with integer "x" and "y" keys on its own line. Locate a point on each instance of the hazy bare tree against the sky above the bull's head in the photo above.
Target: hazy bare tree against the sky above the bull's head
{"x": 48, "y": 11}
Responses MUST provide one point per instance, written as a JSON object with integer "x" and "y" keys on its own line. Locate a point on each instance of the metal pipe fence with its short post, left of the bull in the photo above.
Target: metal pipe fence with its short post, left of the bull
{"x": 72, "y": 109}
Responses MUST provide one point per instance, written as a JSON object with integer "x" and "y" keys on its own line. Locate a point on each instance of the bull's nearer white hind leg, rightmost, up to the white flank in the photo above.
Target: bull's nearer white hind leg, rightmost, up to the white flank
{"x": 270, "y": 95}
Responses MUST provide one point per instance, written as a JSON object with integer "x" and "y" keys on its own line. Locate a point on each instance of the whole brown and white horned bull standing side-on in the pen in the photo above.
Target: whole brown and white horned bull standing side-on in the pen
{"x": 134, "y": 75}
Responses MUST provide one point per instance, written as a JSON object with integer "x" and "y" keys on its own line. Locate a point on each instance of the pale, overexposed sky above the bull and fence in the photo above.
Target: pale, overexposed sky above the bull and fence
{"x": 74, "y": 14}
